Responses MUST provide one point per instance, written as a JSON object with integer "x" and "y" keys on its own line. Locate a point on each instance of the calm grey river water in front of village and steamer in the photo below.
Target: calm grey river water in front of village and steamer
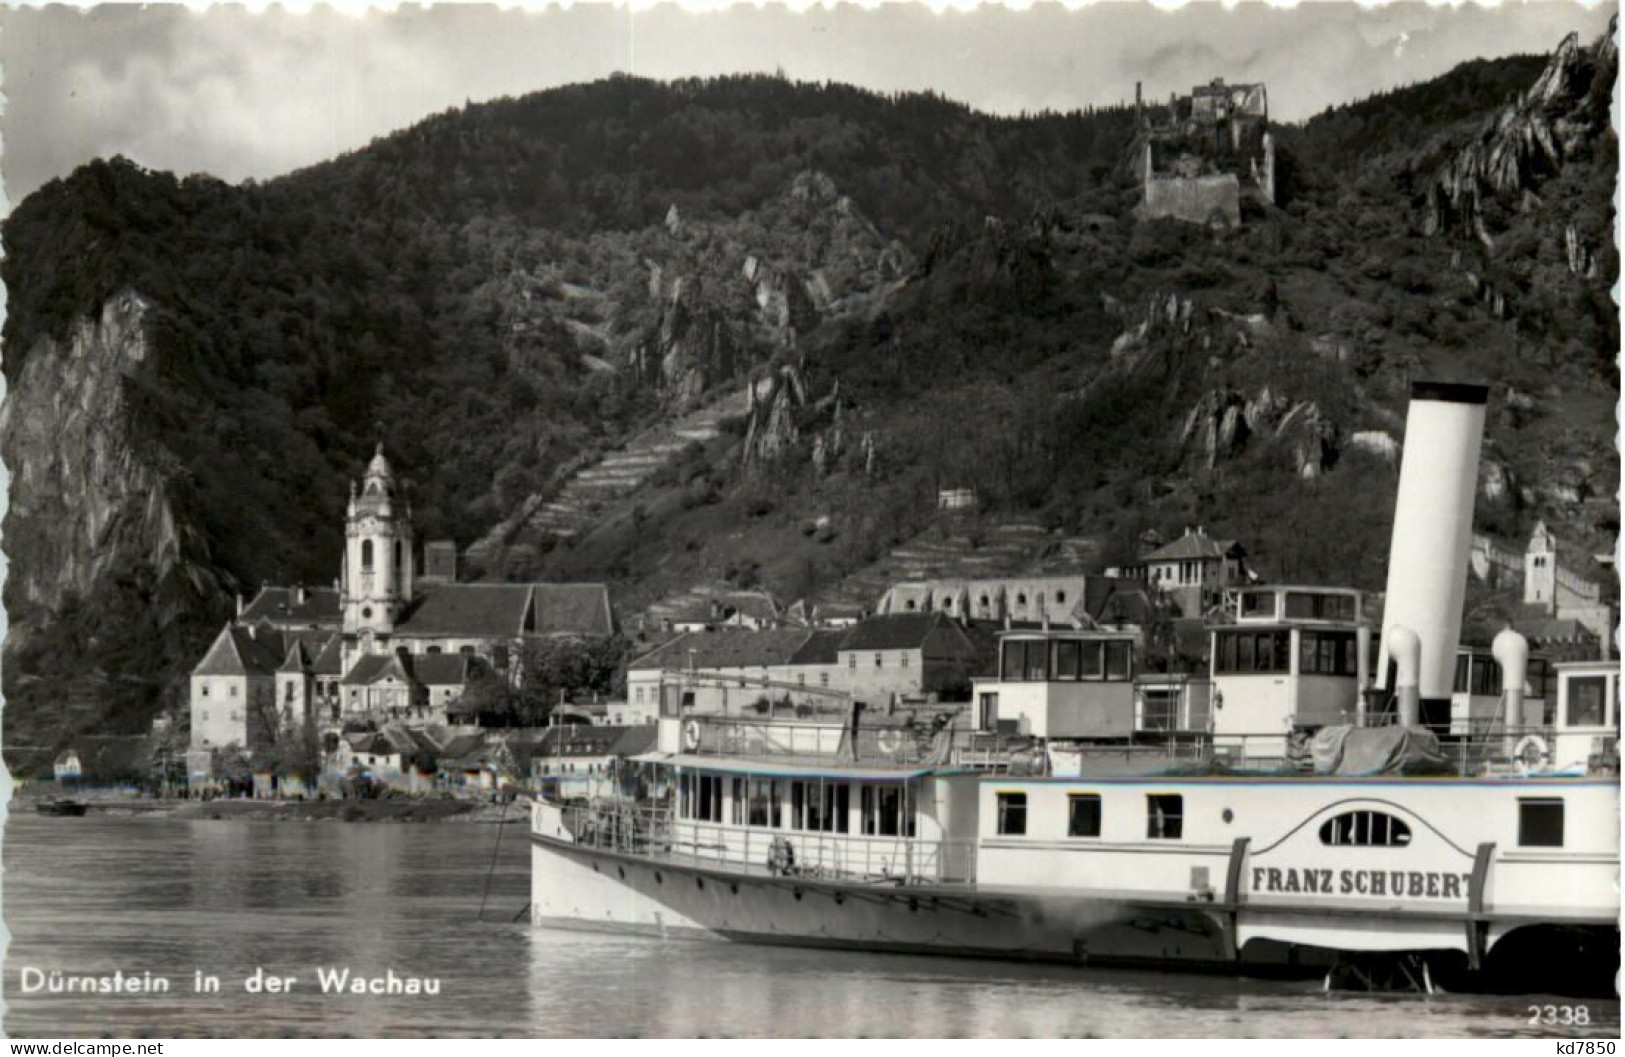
{"x": 98, "y": 895}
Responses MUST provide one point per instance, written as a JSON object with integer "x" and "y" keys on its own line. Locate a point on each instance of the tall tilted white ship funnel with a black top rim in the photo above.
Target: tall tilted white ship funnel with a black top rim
{"x": 1428, "y": 560}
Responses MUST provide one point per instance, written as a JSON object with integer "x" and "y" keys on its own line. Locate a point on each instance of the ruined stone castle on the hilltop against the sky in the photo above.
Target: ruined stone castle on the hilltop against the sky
{"x": 1205, "y": 152}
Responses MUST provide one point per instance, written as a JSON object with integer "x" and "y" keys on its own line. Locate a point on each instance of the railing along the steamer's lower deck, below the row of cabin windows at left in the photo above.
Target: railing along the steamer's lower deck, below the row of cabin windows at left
{"x": 652, "y": 832}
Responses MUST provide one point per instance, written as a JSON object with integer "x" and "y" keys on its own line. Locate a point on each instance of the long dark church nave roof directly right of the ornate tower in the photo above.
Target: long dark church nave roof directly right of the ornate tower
{"x": 511, "y": 611}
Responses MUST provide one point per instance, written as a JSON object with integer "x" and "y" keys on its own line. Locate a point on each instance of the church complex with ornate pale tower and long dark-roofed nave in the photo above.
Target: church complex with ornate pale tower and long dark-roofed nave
{"x": 386, "y": 645}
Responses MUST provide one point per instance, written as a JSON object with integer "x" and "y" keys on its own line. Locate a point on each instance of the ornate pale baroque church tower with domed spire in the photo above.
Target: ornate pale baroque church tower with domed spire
{"x": 378, "y": 560}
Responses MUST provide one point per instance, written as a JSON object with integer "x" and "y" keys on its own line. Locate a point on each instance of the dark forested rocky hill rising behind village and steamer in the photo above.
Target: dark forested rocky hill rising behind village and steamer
{"x": 513, "y": 290}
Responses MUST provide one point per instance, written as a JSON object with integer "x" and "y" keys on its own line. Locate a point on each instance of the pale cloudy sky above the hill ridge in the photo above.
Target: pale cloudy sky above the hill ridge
{"x": 256, "y": 95}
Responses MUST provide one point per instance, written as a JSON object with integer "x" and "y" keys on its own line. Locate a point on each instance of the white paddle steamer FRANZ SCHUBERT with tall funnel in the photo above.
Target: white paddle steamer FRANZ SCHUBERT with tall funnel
{"x": 1312, "y": 803}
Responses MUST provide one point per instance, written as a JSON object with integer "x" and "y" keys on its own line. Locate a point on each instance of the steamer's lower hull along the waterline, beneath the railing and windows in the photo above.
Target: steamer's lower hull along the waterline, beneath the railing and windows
{"x": 591, "y": 889}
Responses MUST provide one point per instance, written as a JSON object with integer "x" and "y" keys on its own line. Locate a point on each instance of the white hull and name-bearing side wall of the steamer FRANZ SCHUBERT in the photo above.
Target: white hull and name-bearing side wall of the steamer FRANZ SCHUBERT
{"x": 1250, "y": 921}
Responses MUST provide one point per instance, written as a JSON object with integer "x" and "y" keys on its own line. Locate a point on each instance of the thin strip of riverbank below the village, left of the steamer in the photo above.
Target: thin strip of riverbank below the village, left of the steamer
{"x": 386, "y": 811}
